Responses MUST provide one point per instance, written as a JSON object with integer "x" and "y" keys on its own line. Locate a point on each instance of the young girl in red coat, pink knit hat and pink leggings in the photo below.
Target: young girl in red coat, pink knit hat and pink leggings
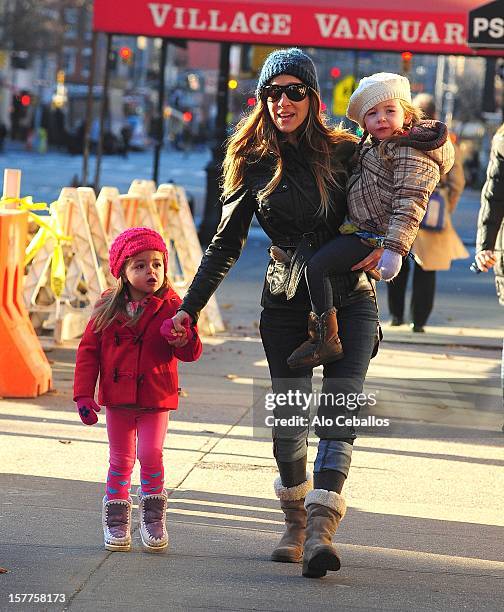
{"x": 130, "y": 343}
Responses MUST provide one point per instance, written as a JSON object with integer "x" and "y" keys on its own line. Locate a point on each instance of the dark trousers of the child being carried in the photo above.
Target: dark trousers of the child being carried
{"x": 337, "y": 257}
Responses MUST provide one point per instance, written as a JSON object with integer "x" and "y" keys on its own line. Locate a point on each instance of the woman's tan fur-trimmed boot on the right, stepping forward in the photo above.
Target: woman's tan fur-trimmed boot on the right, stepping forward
{"x": 325, "y": 510}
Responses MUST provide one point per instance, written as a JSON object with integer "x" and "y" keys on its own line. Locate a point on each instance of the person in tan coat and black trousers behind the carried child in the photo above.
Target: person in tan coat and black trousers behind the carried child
{"x": 436, "y": 249}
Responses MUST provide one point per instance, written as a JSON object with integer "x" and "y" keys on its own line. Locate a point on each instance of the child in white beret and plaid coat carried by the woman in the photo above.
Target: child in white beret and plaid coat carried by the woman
{"x": 401, "y": 159}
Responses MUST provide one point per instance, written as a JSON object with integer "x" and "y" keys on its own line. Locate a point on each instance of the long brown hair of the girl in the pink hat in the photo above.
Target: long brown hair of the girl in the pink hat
{"x": 113, "y": 302}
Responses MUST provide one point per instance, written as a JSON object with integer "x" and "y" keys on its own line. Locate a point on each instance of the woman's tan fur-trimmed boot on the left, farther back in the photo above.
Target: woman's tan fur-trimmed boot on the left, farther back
{"x": 290, "y": 547}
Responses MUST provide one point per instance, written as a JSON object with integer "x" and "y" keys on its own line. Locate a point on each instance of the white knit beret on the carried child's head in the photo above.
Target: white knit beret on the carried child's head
{"x": 375, "y": 89}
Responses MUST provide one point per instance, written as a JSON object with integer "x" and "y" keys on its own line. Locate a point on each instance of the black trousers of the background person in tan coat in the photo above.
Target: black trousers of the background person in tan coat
{"x": 422, "y": 297}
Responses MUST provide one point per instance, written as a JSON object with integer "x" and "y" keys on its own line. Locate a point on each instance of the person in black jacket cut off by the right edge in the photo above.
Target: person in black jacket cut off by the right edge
{"x": 490, "y": 236}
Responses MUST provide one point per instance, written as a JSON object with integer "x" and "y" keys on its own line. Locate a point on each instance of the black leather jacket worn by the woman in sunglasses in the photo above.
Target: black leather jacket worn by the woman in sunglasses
{"x": 285, "y": 215}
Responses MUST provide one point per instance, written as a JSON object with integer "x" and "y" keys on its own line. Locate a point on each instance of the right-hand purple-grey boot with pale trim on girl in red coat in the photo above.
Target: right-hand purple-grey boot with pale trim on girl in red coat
{"x": 152, "y": 511}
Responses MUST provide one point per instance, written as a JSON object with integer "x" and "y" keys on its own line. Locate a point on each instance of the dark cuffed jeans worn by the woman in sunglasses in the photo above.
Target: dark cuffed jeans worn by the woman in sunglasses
{"x": 282, "y": 331}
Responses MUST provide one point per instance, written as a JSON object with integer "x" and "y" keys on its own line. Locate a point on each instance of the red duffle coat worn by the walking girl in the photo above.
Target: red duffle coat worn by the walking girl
{"x": 136, "y": 364}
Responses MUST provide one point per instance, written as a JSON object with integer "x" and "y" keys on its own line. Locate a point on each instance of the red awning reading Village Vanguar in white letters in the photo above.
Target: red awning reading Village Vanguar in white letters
{"x": 421, "y": 26}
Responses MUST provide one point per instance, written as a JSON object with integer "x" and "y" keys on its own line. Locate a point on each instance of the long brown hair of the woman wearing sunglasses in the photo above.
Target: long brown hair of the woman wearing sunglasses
{"x": 256, "y": 137}
